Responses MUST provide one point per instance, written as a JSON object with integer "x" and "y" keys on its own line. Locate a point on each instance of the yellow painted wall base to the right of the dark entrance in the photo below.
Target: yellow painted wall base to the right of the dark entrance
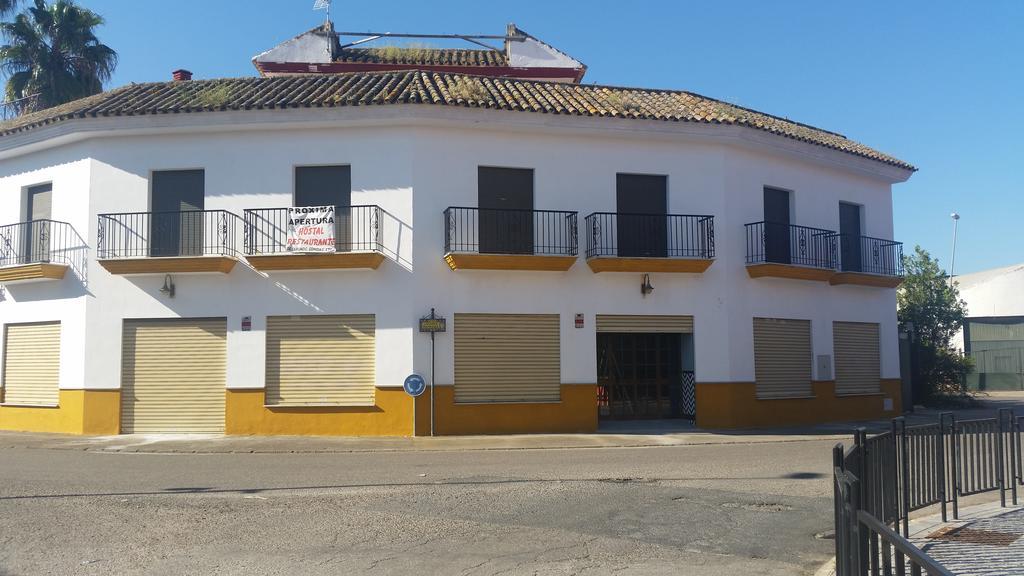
{"x": 735, "y": 405}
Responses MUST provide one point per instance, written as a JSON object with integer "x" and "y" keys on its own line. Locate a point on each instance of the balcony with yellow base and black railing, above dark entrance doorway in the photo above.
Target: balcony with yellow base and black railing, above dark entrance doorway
{"x": 672, "y": 243}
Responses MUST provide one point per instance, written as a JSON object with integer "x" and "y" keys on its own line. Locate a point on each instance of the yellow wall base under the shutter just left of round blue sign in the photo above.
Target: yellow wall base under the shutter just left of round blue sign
{"x": 246, "y": 415}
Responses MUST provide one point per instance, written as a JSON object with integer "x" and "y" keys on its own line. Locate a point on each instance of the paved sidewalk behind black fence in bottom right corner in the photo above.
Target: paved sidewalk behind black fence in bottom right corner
{"x": 988, "y": 541}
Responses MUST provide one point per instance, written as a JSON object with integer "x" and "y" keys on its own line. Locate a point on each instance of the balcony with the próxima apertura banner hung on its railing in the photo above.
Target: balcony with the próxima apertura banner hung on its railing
{"x": 358, "y": 233}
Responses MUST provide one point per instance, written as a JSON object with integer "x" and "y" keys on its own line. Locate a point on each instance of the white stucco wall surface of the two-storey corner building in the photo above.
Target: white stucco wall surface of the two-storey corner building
{"x": 414, "y": 171}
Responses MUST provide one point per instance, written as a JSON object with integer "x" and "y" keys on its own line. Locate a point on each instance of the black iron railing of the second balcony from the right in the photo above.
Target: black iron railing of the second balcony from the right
{"x": 790, "y": 244}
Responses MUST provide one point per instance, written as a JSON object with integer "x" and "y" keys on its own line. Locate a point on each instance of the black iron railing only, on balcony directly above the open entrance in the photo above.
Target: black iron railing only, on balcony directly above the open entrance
{"x": 654, "y": 236}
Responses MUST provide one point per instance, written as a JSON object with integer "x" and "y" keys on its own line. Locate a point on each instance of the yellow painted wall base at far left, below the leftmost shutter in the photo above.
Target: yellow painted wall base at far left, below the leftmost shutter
{"x": 81, "y": 413}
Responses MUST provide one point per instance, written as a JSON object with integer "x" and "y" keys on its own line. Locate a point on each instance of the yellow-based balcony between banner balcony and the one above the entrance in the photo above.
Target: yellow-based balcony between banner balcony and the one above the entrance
{"x": 523, "y": 240}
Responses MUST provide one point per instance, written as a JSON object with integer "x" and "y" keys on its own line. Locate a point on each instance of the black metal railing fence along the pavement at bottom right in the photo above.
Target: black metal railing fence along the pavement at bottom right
{"x": 882, "y": 479}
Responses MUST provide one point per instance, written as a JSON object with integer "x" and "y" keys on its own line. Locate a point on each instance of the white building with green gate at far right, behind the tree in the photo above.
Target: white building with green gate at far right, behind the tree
{"x": 994, "y": 334}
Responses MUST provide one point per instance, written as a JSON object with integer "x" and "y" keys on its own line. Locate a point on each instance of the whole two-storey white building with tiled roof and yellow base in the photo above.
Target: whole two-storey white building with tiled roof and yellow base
{"x": 148, "y": 286}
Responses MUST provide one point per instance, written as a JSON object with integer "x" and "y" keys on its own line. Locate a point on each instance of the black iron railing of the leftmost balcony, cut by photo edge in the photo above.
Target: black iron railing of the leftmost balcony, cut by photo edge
{"x": 42, "y": 242}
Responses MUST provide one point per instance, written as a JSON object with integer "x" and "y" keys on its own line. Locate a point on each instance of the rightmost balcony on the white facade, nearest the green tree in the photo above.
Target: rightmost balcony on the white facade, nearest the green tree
{"x": 870, "y": 262}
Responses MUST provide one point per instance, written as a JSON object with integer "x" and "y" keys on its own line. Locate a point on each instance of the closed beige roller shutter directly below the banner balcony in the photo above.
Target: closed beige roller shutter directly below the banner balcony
{"x": 321, "y": 360}
